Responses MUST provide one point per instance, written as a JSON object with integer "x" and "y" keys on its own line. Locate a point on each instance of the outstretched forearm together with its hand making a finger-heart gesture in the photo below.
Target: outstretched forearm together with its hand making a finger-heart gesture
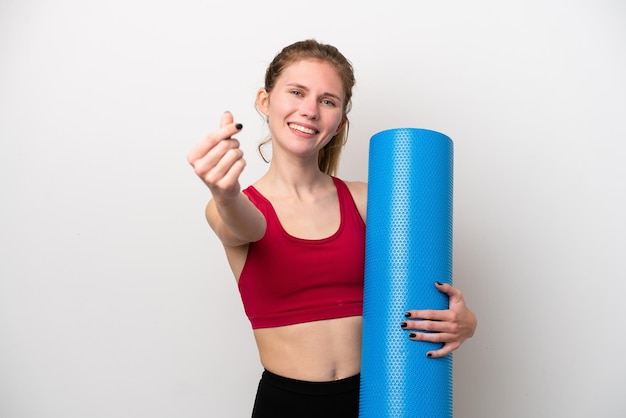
{"x": 218, "y": 161}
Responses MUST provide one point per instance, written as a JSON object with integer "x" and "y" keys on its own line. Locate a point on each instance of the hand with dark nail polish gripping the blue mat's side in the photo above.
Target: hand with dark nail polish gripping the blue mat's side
{"x": 450, "y": 327}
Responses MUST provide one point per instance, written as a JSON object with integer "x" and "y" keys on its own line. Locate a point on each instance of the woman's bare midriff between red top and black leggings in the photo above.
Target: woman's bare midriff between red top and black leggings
{"x": 316, "y": 351}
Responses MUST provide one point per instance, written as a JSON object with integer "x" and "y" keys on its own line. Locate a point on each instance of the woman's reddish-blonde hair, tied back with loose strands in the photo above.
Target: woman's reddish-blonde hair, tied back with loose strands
{"x": 328, "y": 159}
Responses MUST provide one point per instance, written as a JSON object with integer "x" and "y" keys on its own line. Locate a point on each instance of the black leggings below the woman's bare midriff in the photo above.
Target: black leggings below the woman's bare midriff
{"x": 279, "y": 397}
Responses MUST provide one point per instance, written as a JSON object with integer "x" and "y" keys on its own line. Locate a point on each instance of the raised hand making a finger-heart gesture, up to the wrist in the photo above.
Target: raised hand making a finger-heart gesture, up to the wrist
{"x": 218, "y": 160}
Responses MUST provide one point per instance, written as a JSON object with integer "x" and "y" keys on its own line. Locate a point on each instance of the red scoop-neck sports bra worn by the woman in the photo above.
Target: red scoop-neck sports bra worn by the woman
{"x": 287, "y": 280}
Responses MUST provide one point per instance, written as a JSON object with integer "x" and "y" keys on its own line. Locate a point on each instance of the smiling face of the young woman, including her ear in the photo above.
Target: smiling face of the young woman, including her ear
{"x": 305, "y": 108}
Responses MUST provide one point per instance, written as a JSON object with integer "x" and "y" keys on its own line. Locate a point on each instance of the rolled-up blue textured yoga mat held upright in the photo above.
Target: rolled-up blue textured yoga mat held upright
{"x": 408, "y": 247}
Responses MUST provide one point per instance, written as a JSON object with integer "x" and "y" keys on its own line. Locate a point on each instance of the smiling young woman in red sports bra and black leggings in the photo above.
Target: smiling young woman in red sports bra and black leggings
{"x": 295, "y": 240}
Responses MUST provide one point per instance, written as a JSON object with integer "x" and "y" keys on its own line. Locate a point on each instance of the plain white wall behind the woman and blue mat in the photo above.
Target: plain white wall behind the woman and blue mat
{"x": 115, "y": 297}
